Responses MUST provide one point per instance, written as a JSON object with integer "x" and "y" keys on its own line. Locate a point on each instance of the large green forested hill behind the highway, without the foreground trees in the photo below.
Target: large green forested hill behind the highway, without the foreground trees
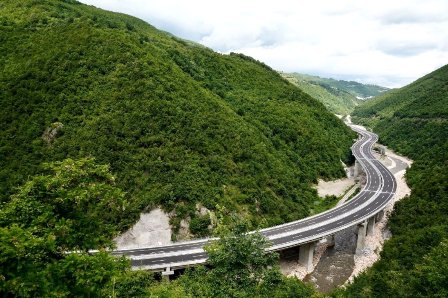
{"x": 180, "y": 125}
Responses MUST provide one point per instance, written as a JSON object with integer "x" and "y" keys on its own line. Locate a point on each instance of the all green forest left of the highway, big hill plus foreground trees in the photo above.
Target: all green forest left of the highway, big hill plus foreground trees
{"x": 103, "y": 117}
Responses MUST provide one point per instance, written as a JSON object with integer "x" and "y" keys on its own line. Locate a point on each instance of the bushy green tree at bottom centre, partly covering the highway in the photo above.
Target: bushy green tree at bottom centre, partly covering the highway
{"x": 238, "y": 266}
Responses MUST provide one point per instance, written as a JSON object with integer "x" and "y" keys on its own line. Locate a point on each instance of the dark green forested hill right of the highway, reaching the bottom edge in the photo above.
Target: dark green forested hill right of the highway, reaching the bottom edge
{"x": 414, "y": 121}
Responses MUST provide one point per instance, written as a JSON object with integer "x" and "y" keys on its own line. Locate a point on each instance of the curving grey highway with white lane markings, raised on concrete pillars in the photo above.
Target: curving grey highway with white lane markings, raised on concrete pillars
{"x": 379, "y": 189}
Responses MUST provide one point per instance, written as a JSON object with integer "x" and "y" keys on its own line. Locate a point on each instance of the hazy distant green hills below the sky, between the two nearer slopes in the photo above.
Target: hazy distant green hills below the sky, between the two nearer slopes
{"x": 339, "y": 96}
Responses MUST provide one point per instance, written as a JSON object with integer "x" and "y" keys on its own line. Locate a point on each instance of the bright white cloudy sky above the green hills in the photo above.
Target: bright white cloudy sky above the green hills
{"x": 385, "y": 42}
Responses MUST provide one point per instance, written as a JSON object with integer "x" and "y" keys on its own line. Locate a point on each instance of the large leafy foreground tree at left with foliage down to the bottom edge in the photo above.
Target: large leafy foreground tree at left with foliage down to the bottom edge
{"x": 50, "y": 217}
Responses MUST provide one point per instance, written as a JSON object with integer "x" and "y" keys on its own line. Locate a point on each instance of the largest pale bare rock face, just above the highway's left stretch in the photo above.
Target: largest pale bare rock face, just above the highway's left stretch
{"x": 151, "y": 229}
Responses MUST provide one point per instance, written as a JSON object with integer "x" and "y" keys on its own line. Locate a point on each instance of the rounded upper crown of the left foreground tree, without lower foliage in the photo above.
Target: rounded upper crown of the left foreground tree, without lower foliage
{"x": 76, "y": 202}
